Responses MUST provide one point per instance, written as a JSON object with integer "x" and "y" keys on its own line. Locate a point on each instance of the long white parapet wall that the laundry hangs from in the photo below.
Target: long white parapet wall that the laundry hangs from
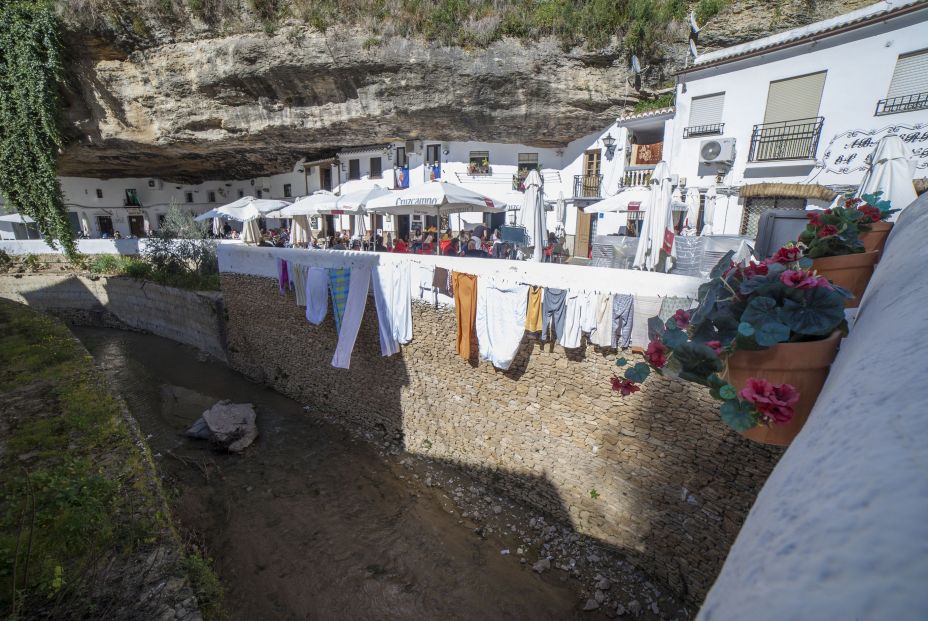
{"x": 646, "y": 286}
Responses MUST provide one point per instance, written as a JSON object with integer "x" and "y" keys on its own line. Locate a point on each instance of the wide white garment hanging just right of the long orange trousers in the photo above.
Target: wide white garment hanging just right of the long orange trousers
{"x": 501, "y": 310}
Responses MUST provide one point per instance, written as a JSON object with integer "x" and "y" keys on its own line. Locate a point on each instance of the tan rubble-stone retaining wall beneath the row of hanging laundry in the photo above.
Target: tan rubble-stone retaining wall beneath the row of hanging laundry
{"x": 673, "y": 484}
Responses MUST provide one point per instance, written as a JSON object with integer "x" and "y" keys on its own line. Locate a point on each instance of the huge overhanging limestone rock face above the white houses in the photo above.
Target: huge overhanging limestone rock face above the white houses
{"x": 187, "y": 103}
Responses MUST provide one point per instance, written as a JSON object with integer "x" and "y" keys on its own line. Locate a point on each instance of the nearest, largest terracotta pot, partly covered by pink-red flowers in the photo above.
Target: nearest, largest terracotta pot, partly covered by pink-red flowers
{"x": 803, "y": 365}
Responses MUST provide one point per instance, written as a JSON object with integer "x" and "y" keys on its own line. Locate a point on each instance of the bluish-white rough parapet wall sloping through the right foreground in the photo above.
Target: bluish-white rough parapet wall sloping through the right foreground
{"x": 840, "y": 530}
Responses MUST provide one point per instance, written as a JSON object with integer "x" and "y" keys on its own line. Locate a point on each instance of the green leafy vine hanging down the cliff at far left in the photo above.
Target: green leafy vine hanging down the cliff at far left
{"x": 30, "y": 132}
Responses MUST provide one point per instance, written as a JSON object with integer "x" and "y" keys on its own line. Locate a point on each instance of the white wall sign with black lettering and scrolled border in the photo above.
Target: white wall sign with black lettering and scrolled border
{"x": 850, "y": 151}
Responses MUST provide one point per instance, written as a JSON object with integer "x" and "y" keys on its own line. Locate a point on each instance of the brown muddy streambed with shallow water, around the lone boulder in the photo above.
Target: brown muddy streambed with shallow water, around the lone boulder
{"x": 312, "y": 523}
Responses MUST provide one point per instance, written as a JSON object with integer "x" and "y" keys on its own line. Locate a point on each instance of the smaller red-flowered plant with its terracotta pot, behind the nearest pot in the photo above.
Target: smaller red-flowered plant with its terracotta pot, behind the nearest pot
{"x": 832, "y": 240}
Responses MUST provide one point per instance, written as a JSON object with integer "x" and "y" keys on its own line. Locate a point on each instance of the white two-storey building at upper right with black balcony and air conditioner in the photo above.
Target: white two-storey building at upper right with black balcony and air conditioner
{"x": 801, "y": 109}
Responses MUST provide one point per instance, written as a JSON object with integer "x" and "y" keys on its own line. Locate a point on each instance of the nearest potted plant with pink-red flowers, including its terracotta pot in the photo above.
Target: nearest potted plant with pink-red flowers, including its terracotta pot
{"x": 762, "y": 339}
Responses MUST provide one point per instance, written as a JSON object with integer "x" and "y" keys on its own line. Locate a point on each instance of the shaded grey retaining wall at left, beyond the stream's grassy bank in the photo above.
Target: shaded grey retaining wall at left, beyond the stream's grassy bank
{"x": 194, "y": 318}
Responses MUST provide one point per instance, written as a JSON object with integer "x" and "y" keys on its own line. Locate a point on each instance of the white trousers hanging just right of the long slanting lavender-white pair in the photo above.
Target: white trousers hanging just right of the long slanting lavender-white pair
{"x": 394, "y": 312}
